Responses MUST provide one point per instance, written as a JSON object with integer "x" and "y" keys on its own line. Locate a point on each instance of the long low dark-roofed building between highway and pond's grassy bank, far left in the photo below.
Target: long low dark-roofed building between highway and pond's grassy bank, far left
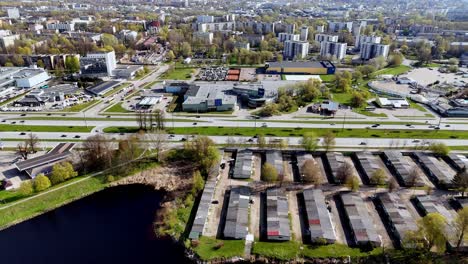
{"x": 44, "y": 163}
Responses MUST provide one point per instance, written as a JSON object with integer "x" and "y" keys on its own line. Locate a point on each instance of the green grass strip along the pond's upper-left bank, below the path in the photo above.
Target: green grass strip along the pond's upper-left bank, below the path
{"x": 49, "y": 201}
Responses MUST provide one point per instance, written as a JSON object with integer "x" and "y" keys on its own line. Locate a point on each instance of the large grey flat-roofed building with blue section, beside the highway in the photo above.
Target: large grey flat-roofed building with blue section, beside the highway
{"x": 208, "y": 98}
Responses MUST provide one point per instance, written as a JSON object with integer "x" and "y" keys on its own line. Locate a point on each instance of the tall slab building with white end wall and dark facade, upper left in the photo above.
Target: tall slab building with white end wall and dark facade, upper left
{"x": 98, "y": 64}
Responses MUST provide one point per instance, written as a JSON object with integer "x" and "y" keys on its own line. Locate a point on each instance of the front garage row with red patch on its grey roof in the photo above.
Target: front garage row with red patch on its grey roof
{"x": 318, "y": 217}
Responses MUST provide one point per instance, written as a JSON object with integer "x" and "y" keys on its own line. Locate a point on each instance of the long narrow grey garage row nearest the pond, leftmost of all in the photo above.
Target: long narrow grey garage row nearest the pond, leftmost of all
{"x": 199, "y": 222}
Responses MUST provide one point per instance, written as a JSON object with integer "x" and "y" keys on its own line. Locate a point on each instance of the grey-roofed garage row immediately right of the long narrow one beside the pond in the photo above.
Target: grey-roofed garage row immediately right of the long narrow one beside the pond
{"x": 237, "y": 213}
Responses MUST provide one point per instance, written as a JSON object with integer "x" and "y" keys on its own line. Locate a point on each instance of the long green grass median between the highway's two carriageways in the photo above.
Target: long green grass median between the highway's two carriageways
{"x": 299, "y": 132}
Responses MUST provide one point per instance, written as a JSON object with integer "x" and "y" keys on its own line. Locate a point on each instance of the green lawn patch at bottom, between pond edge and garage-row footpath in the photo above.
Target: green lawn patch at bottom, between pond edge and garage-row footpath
{"x": 207, "y": 248}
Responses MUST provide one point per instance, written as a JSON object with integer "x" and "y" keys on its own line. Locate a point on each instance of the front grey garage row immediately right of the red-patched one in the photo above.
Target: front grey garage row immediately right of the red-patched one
{"x": 362, "y": 230}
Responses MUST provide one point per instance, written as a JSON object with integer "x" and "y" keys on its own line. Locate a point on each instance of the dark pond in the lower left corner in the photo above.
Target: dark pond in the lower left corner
{"x": 112, "y": 226}
